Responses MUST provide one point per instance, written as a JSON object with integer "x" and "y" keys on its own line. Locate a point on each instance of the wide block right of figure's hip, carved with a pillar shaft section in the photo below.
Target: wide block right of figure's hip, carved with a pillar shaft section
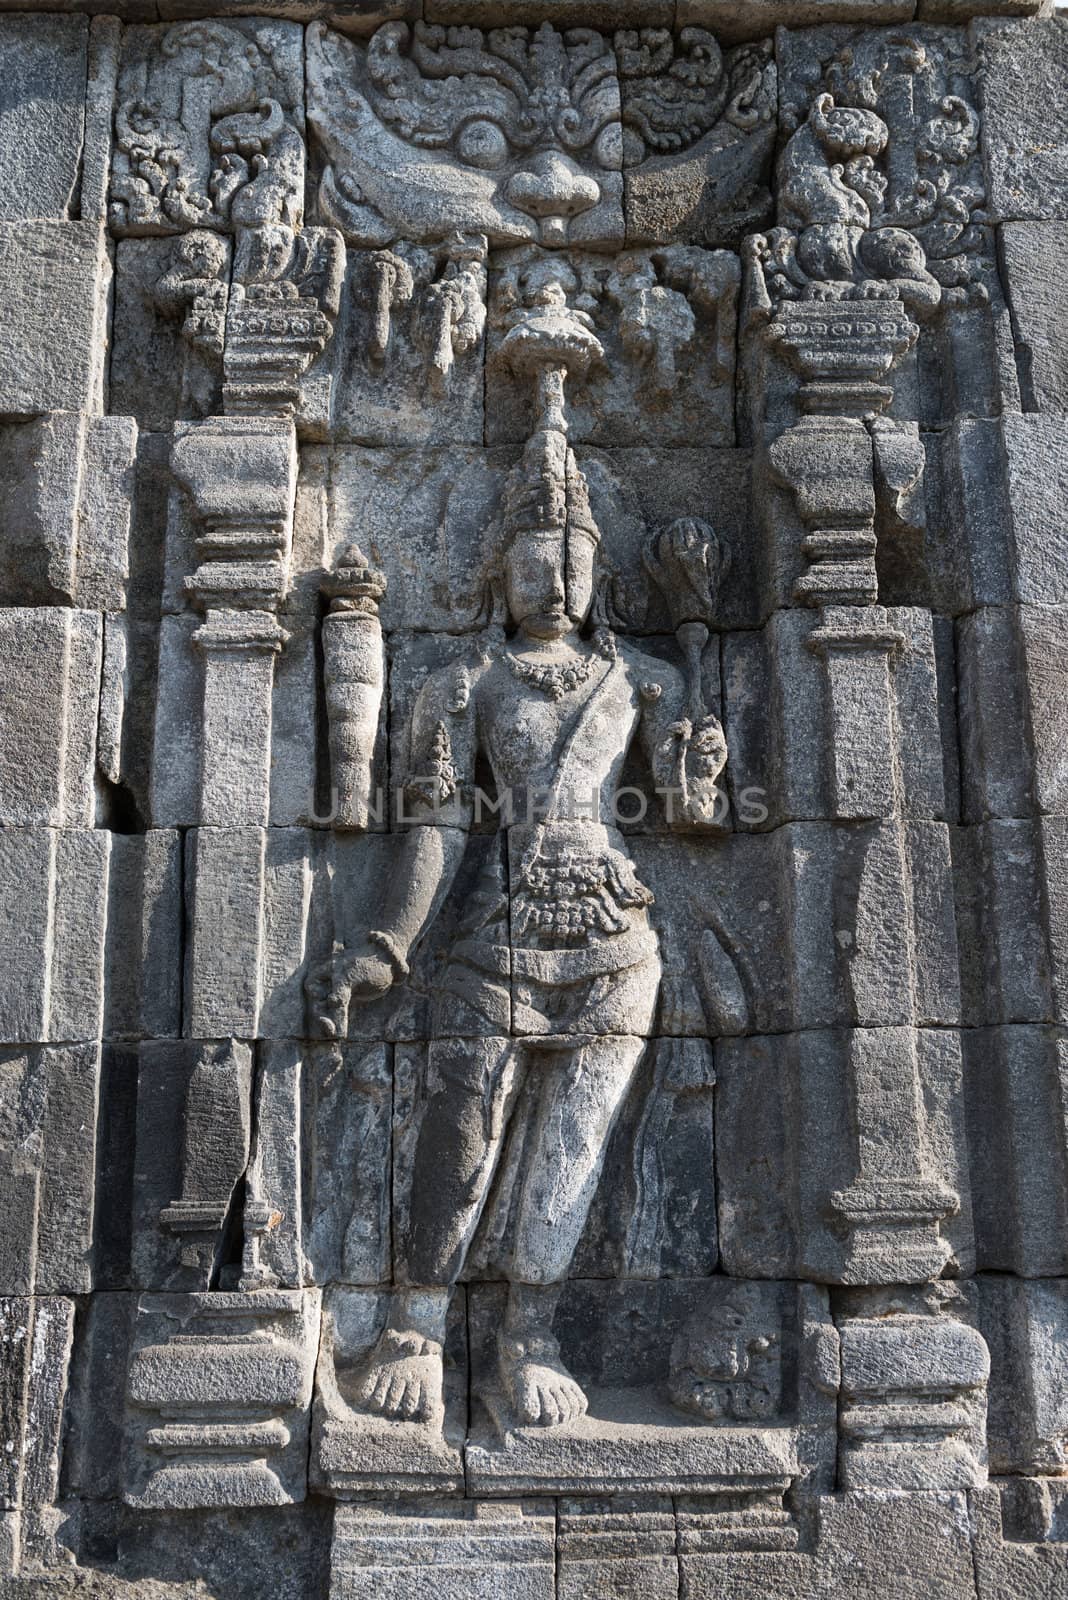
{"x": 815, "y": 938}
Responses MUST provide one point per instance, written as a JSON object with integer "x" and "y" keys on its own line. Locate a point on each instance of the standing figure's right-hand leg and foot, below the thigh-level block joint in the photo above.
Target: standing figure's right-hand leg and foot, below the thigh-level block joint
{"x": 578, "y": 1105}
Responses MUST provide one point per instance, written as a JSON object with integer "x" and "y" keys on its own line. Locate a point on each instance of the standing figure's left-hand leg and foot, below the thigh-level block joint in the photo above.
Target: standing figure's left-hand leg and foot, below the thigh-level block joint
{"x": 471, "y": 1090}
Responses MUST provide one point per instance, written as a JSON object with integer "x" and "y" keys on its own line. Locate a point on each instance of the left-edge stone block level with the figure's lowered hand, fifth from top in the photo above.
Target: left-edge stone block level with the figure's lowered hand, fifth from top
{"x": 54, "y": 900}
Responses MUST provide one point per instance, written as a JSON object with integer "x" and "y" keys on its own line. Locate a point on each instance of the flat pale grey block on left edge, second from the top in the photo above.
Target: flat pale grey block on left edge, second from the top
{"x": 54, "y": 318}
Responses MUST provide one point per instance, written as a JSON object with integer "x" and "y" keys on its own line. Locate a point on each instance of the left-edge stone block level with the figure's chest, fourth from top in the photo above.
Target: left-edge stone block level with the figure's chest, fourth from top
{"x": 50, "y": 690}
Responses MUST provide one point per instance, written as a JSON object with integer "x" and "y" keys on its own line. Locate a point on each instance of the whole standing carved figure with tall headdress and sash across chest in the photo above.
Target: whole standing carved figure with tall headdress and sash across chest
{"x": 551, "y": 986}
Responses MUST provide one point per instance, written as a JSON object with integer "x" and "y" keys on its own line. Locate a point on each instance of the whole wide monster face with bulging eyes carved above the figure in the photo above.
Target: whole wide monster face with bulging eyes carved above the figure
{"x": 524, "y": 135}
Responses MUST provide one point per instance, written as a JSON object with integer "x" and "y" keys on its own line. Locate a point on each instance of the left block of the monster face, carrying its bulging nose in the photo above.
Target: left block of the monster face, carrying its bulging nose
{"x": 512, "y": 134}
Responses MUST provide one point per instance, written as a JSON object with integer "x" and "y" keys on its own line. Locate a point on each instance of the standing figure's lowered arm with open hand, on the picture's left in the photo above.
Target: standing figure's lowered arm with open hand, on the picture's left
{"x": 439, "y": 812}
